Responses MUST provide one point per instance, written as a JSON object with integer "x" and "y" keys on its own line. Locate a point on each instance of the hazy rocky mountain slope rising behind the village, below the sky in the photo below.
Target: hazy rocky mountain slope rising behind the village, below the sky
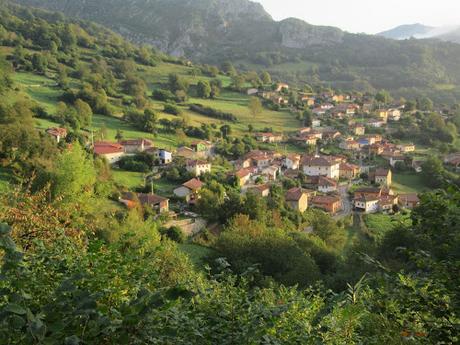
{"x": 242, "y": 32}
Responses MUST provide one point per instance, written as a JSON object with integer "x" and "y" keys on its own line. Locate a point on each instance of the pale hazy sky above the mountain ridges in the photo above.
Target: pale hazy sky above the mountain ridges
{"x": 370, "y": 16}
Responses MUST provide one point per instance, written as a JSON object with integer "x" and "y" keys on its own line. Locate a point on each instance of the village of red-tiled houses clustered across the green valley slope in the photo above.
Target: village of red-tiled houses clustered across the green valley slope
{"x": 356, "y": 177}
